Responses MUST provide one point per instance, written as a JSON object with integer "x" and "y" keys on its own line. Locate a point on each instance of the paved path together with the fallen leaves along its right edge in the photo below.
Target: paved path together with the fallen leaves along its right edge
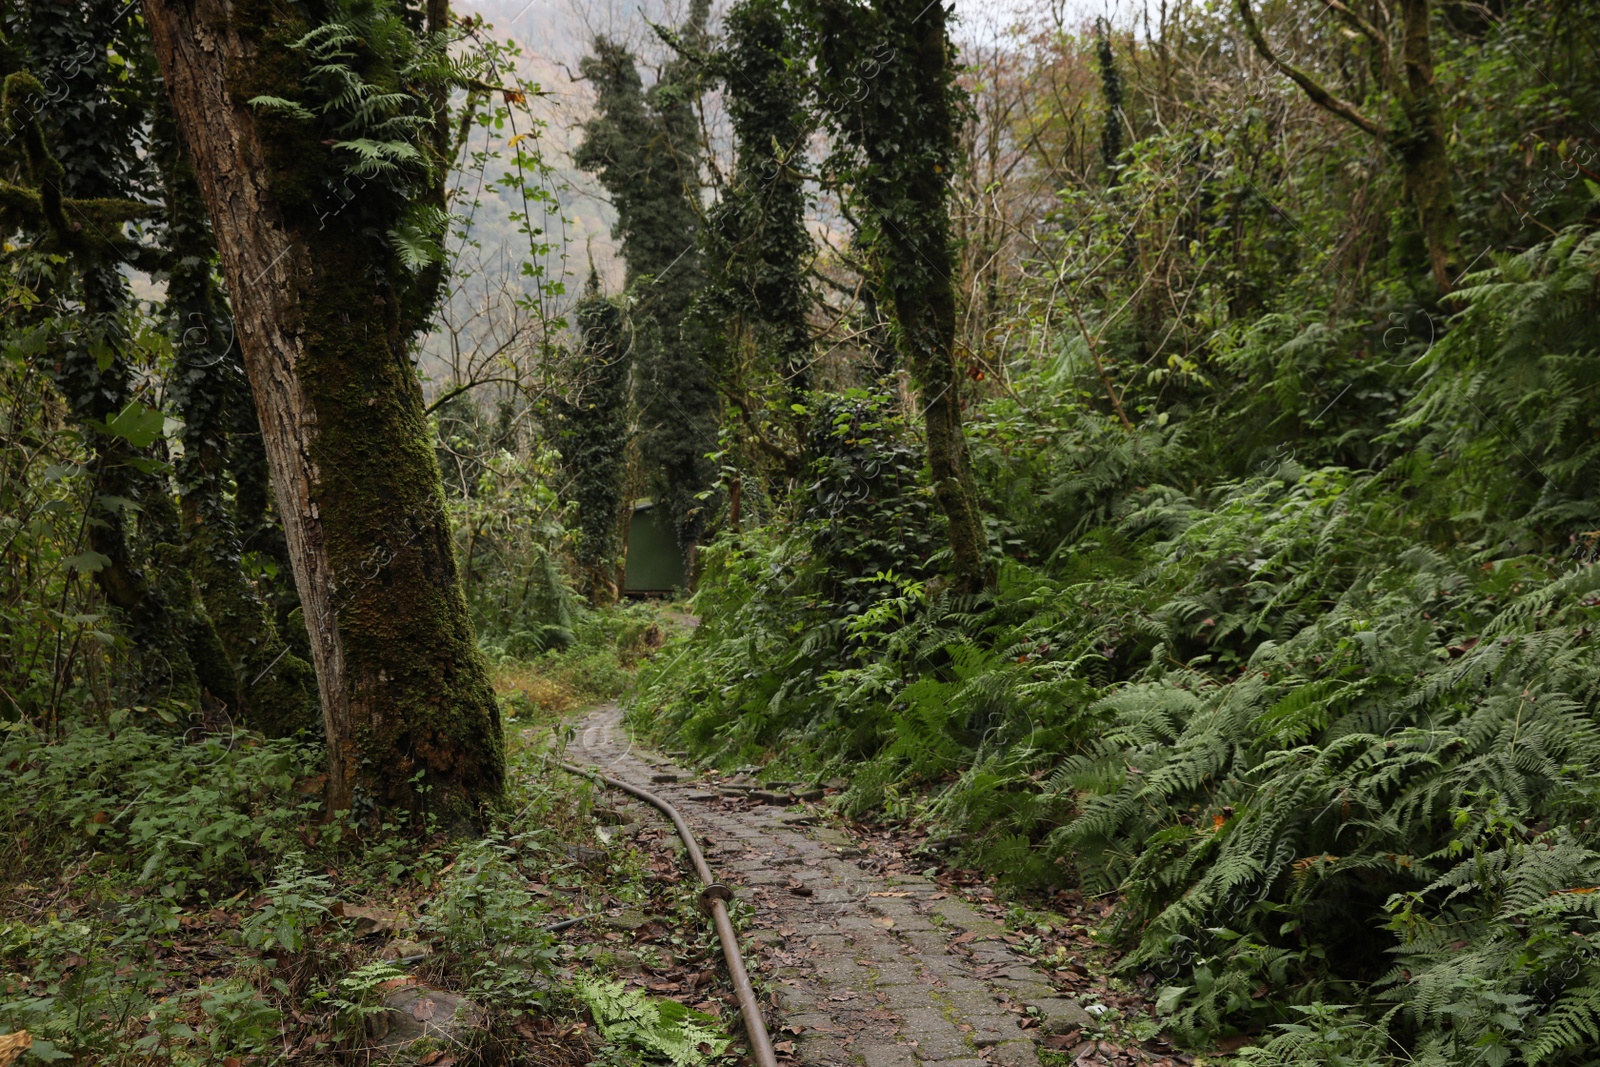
{"x": 871, "y": 954}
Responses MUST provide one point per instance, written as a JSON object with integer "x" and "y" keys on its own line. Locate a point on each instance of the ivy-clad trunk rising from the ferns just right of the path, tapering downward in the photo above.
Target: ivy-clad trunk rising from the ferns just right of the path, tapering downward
{"x": 889, "y": 71}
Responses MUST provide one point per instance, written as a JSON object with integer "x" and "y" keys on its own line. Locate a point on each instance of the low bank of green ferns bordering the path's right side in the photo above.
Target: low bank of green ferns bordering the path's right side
{"x": 1327, "y": 733}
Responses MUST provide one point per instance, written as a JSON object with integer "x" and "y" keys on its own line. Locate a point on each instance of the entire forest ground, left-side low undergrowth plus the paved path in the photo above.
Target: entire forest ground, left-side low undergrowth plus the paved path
{"x": 215, "y": 917}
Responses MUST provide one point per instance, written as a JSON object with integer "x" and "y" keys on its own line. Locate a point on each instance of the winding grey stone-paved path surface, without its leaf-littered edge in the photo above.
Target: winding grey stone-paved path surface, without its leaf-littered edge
{"x": 866, "y": 970}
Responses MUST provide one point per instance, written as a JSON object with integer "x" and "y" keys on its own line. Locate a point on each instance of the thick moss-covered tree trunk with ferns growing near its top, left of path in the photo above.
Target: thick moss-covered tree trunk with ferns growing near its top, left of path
{"x": 326, "y": 314}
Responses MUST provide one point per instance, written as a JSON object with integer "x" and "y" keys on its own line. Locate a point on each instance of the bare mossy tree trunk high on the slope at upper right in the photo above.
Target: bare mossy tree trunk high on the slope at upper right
{"x": 1422, "y": 145}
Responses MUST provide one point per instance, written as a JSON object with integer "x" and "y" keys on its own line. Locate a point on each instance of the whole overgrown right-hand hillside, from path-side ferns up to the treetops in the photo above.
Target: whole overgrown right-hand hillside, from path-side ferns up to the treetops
{"x": 1290, "y": 649}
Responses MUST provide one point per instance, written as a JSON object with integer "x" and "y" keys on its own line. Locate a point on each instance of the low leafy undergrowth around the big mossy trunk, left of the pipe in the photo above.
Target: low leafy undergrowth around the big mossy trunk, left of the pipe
{"x": 185, "y": 898}
